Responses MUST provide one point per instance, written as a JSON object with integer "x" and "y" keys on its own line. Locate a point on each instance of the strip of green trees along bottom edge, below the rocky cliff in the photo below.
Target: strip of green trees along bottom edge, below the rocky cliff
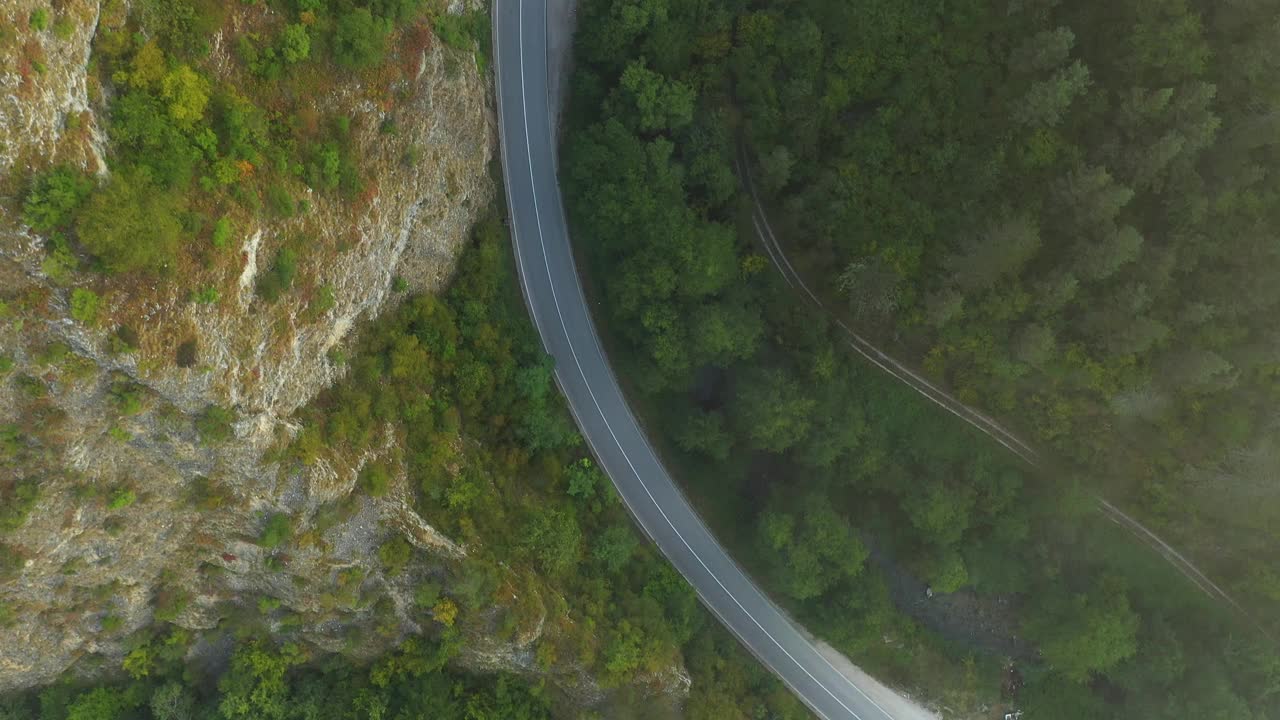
{"x": 278, "y": 683}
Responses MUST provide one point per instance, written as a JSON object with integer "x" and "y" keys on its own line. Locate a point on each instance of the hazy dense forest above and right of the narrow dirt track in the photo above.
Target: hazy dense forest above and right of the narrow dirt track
{"x": 1067, "y": 212}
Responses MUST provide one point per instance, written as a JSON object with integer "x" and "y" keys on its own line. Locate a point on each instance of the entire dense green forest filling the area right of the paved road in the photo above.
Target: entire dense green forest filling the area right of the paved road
{"x": 1046, "y": 206}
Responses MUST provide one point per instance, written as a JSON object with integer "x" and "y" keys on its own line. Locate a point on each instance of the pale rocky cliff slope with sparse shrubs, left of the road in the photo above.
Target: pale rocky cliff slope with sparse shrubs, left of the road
{"x": 139, "y": 514}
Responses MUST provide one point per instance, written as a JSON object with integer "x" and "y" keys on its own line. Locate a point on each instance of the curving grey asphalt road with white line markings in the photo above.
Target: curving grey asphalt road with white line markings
{"x": 559, "y": 307}
